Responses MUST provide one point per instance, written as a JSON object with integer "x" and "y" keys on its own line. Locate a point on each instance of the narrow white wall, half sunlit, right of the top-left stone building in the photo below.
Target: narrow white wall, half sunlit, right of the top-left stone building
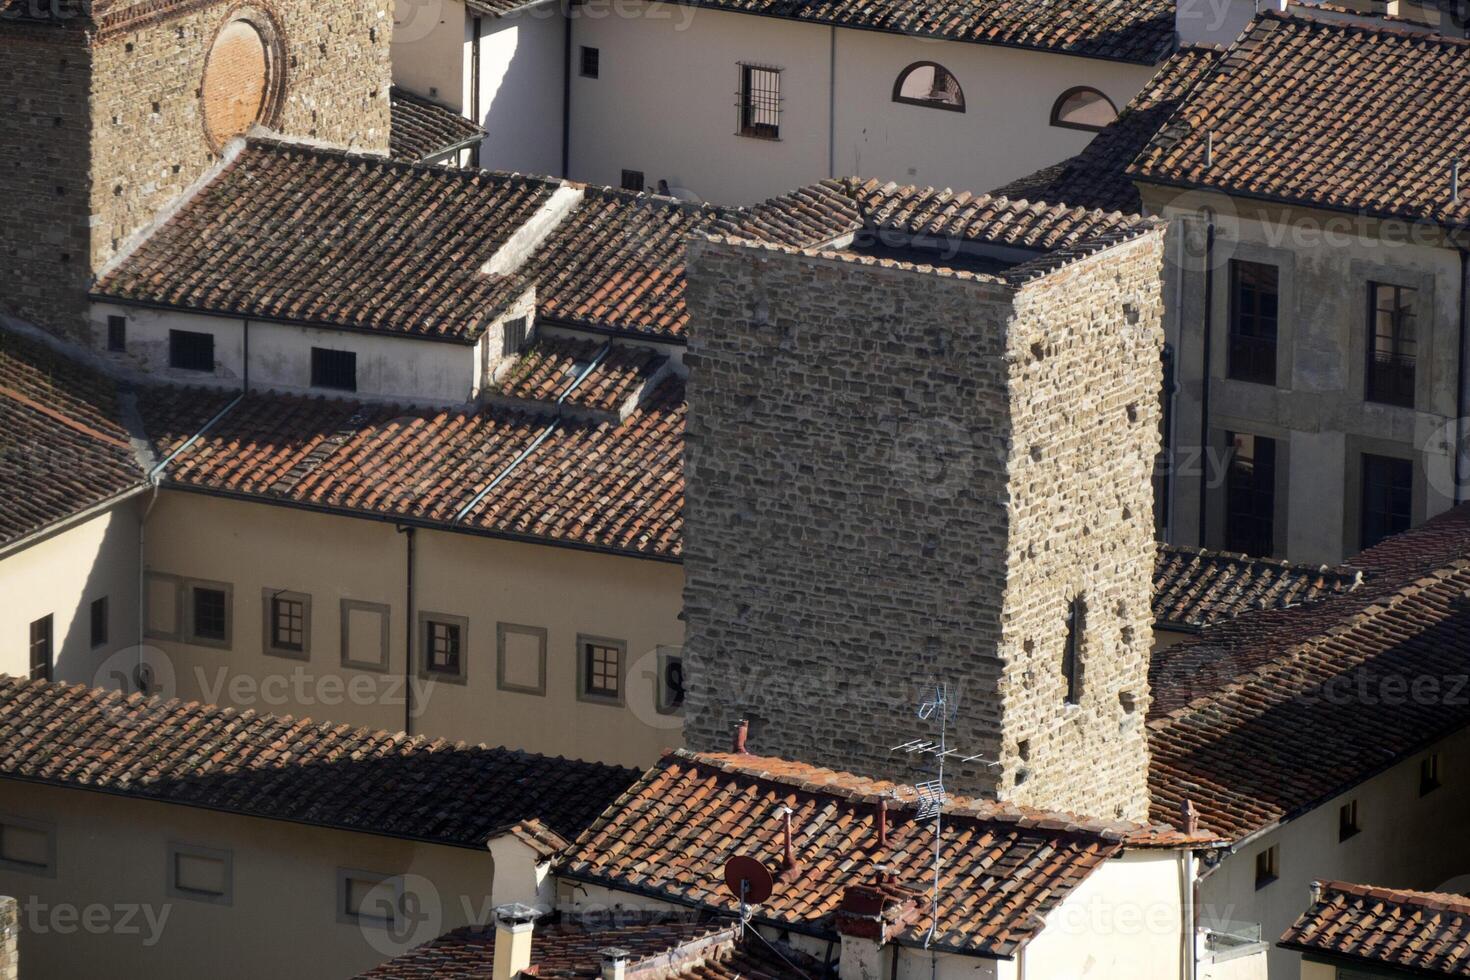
{"x": 521, "y": 90}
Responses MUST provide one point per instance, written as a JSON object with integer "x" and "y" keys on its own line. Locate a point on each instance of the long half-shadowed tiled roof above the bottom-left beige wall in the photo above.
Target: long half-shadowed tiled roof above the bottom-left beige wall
{"x": 289, "y": 769}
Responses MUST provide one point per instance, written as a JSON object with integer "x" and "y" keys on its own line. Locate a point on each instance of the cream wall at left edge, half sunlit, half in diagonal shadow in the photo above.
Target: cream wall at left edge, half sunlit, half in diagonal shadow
{"x": 60, "y": 577}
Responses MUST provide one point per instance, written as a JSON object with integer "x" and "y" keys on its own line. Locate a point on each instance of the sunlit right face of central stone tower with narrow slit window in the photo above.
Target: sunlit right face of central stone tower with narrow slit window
{"x": 1086, "y": 356}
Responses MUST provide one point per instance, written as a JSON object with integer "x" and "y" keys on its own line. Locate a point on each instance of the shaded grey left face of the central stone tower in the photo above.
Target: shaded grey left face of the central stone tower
{"x": 846, "y": 506}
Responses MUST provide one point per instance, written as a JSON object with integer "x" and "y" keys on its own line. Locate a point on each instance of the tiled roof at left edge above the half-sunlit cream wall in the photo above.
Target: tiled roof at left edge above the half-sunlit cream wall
{"x": 62, "y": 443}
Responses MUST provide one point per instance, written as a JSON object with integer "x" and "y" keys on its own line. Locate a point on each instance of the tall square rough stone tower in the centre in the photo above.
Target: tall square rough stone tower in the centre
{"x": 897, "y": 474}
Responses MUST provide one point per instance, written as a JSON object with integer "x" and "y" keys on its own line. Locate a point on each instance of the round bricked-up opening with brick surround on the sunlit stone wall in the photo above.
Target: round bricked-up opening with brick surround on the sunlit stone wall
{"x": 245, "y": 77}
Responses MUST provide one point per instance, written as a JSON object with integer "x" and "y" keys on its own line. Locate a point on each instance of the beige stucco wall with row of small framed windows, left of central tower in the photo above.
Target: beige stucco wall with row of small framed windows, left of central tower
{"x": 258, "y": 547}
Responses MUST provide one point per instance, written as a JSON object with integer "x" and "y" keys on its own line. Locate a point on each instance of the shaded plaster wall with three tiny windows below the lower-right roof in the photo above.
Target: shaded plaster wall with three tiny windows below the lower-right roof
{"x": 1408, "y": 841}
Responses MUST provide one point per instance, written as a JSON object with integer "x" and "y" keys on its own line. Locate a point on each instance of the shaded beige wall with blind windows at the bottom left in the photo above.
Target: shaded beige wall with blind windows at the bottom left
{"x": 108, "y": 909}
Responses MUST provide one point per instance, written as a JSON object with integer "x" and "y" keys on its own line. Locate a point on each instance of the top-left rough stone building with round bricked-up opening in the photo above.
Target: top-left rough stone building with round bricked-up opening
{"x": 111, "y": 109}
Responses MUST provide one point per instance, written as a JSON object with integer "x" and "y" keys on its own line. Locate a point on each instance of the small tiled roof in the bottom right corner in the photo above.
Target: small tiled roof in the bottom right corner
{"x": 1422, "y": 932}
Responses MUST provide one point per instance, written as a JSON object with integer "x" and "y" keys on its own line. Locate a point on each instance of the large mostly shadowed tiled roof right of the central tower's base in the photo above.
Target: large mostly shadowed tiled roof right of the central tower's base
{"x": 1268, "y": 715}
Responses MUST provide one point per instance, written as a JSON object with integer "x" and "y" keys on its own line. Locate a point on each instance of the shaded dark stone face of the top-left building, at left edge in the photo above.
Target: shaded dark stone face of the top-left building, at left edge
{"x": 43, "y": 174}
